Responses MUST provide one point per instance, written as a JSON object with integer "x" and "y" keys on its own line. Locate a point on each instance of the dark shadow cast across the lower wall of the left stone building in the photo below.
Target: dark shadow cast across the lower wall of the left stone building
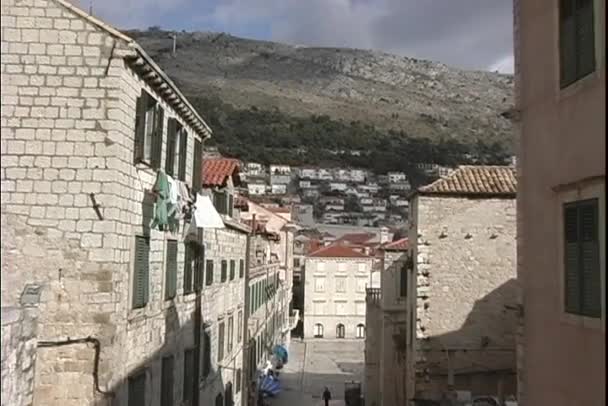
{"x": 161, "y": 378}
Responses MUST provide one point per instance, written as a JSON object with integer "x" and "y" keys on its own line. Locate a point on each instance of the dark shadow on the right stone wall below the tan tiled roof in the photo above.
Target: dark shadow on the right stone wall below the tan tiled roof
{"x": 481, "y": 354}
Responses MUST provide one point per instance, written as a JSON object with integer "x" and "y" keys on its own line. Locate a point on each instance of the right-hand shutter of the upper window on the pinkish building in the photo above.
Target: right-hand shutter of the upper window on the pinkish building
{"x": 585, "y": 38}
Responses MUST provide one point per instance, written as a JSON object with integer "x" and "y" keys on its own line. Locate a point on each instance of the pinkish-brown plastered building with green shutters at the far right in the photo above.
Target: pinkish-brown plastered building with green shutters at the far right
{"x": 560, "y": 88}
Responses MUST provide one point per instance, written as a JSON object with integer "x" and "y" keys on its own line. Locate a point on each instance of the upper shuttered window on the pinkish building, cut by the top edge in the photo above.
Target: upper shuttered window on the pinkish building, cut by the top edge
{"x": 576, "y": 40}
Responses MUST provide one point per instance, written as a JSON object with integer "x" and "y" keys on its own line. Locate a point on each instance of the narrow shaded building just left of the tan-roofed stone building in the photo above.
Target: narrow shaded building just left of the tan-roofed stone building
{"x": 386, "y": 320}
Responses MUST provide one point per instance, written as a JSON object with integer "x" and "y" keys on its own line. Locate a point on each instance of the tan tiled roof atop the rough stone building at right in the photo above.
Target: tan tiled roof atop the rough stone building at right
{"x": 475, "y": 180}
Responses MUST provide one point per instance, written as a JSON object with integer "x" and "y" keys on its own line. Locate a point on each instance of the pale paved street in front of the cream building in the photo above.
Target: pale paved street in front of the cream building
{"x": 316, "y": 364}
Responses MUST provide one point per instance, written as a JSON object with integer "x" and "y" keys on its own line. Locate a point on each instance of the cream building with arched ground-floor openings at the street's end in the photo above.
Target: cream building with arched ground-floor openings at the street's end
{"x": 335, "y": 280}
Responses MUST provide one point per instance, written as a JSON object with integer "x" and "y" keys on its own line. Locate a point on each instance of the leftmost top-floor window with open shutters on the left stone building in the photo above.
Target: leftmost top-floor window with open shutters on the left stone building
{"x": 148, "y": 130}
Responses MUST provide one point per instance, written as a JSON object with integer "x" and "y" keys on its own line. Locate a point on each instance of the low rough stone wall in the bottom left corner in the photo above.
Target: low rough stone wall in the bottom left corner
{"x": 19, "y": 325}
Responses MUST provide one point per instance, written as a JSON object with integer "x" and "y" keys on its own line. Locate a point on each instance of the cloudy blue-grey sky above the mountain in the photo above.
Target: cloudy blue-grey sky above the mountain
{"x": 470, "y": 34}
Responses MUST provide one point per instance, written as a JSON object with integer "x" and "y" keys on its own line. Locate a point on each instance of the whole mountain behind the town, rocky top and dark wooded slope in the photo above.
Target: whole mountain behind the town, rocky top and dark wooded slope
{"x": 342, "y": 98}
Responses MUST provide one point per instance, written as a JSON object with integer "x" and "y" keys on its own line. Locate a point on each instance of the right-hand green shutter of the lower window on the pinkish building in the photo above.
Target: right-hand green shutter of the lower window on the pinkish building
{"x": 590, "y": 259}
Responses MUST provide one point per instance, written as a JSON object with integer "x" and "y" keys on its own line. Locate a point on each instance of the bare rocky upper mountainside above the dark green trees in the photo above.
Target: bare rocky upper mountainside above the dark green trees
{"x": 414, "y": 97}
